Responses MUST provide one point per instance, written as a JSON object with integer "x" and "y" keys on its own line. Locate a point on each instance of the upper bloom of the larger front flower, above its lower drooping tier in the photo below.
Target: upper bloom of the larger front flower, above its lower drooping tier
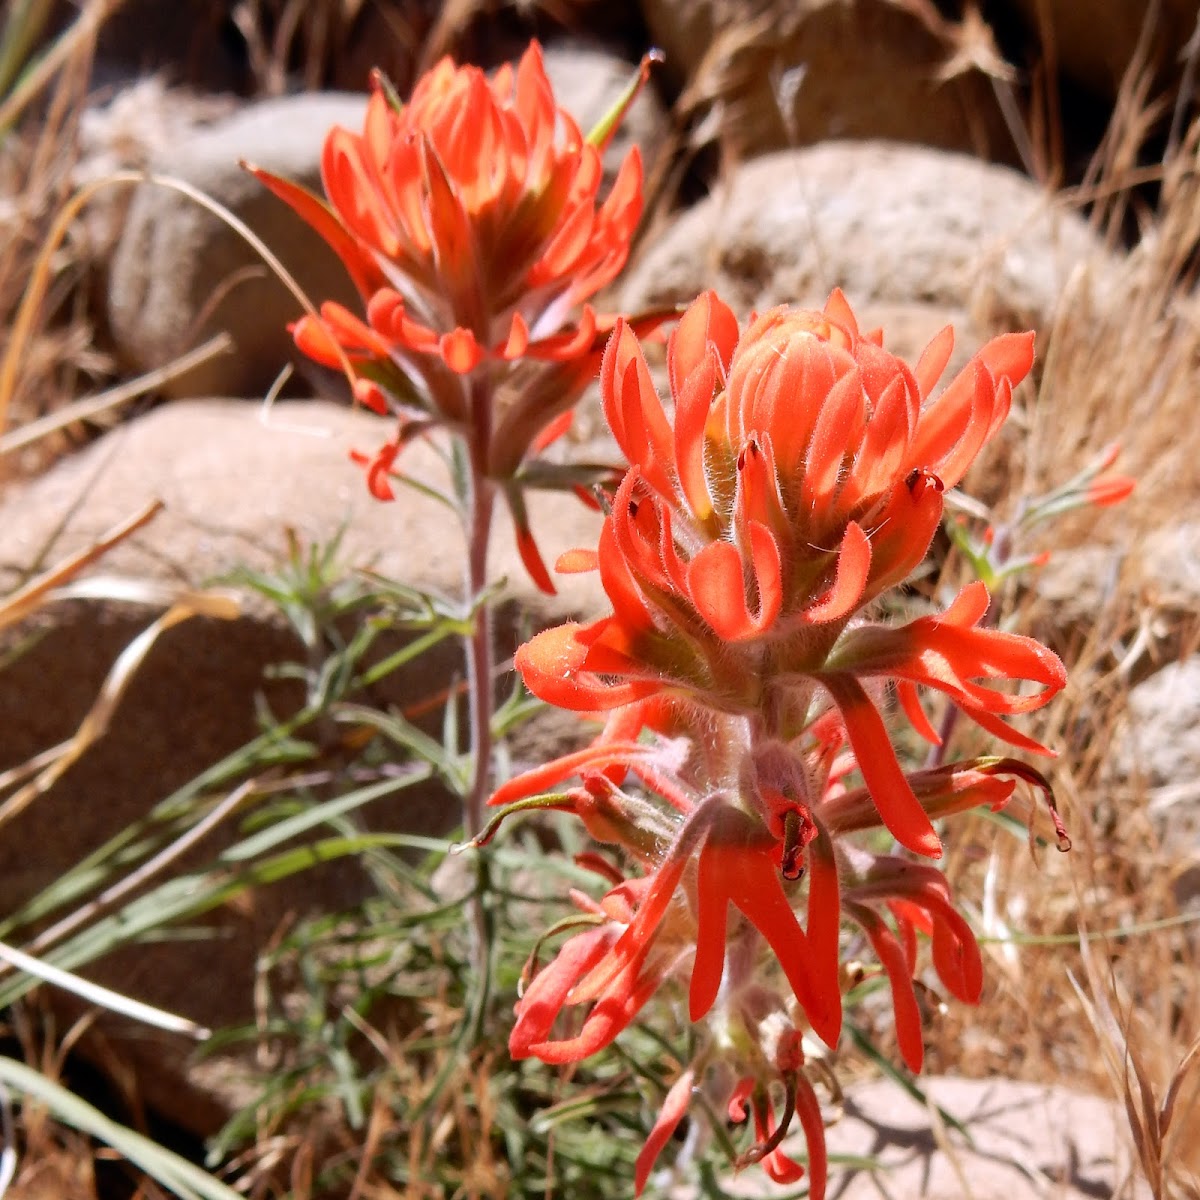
{"x": 803, "y": 476}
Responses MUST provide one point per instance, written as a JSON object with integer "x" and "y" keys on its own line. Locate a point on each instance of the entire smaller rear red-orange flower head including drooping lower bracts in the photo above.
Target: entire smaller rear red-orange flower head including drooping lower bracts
{"x": 471, "y": 224}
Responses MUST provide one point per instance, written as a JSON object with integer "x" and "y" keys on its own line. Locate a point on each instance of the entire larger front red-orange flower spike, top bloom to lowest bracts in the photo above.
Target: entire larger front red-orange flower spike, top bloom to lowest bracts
{"x": 799, "y": 477}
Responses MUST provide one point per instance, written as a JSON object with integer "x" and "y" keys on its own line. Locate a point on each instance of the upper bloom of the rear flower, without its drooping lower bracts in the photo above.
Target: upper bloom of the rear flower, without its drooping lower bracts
{"x": 469, "y": 220}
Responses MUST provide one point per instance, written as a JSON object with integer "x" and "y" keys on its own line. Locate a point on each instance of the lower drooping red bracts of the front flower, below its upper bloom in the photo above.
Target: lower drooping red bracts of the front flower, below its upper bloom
{"x": 723, "y": 873}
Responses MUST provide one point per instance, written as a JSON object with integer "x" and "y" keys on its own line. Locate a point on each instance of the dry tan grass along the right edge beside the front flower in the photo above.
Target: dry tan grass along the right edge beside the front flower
{"x": 1111, "y": 1003}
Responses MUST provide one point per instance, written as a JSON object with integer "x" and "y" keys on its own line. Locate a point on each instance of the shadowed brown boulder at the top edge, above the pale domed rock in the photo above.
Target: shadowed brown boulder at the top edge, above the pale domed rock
{"x": 770, "y": 74}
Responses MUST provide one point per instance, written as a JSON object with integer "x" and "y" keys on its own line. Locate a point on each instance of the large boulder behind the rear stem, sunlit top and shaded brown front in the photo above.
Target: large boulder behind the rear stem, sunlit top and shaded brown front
{"x": 233, "y": 484}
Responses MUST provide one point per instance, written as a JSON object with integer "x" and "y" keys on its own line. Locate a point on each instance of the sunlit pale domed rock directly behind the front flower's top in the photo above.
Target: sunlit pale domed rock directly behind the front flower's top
{"x": 889, "y": 224}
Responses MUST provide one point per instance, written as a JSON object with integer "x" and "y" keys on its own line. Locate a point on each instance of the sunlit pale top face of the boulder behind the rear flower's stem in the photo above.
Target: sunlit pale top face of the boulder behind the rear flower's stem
{"x": 233, "y": 477}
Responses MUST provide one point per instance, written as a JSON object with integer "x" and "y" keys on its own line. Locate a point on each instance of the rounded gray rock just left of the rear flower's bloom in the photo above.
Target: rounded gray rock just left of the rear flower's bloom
{"x": 181, "y": 274}
